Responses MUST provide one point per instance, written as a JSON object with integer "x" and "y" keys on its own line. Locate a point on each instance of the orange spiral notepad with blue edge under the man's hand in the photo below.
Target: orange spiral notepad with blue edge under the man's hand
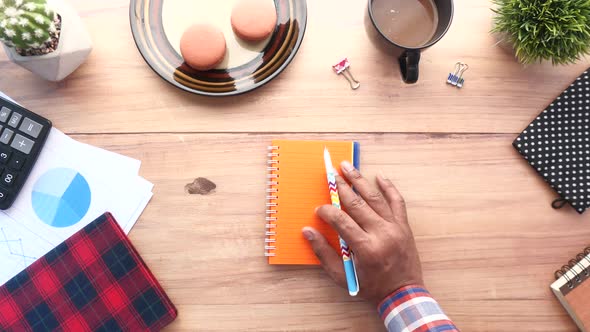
{"x": 297, "y": 185}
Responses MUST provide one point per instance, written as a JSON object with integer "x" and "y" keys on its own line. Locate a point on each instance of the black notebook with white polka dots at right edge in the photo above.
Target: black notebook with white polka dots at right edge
{"x": 557, "y": 145}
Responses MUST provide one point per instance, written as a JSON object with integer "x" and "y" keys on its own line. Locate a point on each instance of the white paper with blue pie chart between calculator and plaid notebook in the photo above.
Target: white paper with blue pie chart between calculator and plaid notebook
{"x": 105, "y": 189}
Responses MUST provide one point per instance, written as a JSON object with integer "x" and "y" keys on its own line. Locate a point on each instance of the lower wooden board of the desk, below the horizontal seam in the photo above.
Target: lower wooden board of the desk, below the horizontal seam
{"x": 488, "y": 238}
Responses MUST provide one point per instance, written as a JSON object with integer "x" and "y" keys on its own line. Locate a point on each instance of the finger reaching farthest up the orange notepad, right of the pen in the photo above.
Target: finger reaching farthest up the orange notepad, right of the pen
{"x": 367, "y": 191}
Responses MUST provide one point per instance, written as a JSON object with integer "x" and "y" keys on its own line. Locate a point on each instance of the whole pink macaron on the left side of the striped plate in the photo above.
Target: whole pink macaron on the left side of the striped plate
{"x": 203, "y": 46}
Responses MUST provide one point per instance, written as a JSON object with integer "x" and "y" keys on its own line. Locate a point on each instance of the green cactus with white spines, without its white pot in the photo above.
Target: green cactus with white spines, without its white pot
{"x": 26, "y": 24}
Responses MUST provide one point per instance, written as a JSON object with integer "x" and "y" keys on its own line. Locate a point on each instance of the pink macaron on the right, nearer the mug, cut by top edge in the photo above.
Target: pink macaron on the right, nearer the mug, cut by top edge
{"x": 254, "y": 20}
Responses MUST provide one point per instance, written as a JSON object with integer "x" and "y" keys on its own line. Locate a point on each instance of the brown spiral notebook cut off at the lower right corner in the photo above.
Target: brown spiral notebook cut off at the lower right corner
{"x": 572, "y": 288}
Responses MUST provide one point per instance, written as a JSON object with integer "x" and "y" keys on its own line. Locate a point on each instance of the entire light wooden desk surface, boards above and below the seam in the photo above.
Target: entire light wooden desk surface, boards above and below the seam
{"x": 488, "y": 238}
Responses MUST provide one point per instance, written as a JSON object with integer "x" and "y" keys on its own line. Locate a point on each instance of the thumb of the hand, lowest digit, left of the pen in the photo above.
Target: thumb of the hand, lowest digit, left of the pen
{"x": 329, "y": 258}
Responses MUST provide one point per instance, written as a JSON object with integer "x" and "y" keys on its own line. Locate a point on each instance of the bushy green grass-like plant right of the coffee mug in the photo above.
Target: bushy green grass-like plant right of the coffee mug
{"x": 539, "y": 30}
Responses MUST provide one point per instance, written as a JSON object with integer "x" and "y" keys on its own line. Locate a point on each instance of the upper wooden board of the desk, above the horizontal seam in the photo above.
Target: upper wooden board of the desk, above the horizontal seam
{"x": 117, "y": 90}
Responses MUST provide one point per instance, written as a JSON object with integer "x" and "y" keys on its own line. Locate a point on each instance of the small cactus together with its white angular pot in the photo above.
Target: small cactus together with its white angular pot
{"x": 46, "y": 37}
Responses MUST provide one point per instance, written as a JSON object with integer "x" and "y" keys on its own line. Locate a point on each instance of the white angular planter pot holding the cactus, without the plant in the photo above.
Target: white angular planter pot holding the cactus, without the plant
{"x": 74, "y": 47}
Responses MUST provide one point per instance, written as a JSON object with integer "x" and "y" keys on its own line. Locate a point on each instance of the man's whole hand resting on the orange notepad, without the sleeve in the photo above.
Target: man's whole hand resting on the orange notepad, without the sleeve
{"x": 375, "y": 226}
